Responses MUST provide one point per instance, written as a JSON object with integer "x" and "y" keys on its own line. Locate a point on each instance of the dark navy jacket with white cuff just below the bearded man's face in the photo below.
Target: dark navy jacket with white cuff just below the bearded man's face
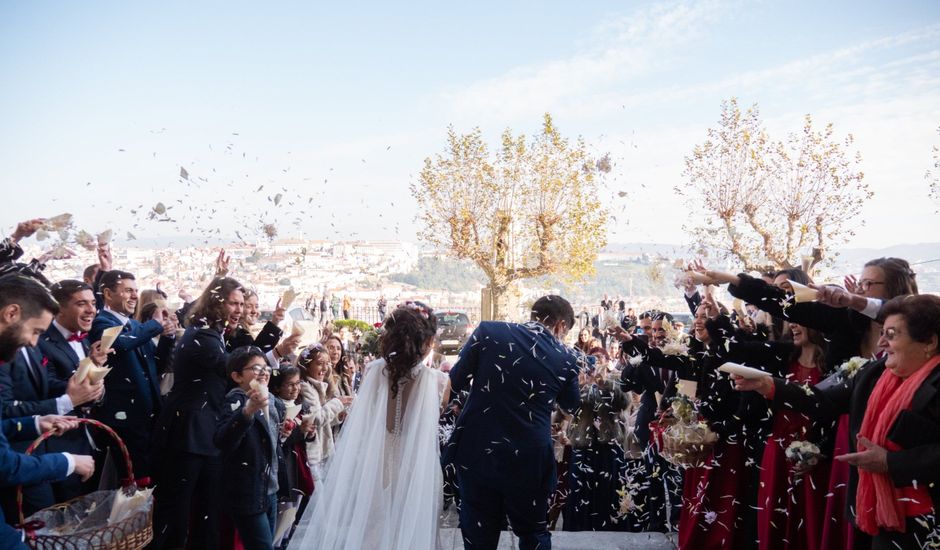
{"x": 26, "y": 388}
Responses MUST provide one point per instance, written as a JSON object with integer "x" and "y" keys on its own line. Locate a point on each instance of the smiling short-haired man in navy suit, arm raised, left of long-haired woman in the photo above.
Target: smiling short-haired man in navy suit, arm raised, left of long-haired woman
{"x": 132, "y": 390}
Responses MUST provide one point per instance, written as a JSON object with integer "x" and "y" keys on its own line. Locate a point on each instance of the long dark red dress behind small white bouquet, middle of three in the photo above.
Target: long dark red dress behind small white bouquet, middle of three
{"x": 790, "y": 508}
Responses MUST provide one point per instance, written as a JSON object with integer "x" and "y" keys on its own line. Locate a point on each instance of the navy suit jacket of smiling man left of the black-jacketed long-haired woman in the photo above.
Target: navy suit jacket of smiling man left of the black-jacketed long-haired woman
{"x": 132, "y": 388}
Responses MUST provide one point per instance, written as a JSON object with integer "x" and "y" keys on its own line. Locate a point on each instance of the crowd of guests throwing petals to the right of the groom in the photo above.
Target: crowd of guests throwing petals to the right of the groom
{"x": 835, "y": 444}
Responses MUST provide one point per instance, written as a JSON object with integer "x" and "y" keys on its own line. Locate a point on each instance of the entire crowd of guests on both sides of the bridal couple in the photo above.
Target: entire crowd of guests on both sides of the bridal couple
{"x": 234, "y": 425}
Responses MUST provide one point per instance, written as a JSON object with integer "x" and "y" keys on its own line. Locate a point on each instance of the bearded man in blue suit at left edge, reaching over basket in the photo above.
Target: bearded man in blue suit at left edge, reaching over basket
{"x": 26, "y": 309}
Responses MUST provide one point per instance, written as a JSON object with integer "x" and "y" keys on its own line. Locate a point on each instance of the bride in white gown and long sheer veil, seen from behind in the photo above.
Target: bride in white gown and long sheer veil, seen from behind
{"x": 383, "y": 486}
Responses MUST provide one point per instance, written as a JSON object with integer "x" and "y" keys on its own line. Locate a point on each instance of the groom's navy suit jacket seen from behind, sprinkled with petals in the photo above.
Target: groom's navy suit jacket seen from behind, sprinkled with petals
{"x": 516, "y": 374}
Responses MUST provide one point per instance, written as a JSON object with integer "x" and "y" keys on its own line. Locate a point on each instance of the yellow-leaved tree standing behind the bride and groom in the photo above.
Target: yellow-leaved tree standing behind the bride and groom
{"x": 531, "y": 210}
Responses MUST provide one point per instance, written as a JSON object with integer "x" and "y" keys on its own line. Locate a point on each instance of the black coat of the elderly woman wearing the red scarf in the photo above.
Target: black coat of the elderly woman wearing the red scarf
{"x": 916, "y": 431}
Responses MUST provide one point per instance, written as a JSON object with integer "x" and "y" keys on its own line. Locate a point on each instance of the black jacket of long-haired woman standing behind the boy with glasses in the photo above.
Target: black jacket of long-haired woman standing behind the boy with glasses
{"x": 190, "y": 416}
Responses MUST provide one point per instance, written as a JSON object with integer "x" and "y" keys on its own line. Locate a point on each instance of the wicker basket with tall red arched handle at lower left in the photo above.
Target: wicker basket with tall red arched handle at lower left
{"x": 131, "y": 533}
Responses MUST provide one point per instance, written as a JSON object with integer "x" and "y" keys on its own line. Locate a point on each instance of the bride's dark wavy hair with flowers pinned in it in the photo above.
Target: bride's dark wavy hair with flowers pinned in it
{"x": 405, "y": 335}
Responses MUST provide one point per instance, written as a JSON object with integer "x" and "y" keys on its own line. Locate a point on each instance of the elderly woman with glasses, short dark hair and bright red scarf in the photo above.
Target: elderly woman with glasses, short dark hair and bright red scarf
{"x": 894, "y": 421}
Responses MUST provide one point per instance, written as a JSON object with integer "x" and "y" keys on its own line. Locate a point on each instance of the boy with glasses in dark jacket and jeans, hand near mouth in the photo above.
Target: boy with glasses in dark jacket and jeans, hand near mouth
{"x": 247, "y": 435}
